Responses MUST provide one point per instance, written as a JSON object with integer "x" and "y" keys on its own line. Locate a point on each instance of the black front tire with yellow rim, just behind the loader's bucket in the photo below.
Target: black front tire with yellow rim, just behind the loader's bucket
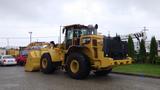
{"x": 46, "y": 64}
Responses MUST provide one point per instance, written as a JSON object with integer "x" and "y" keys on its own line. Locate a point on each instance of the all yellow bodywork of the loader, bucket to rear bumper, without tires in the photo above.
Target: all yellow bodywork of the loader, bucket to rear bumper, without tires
{"x": 95, "y": 53}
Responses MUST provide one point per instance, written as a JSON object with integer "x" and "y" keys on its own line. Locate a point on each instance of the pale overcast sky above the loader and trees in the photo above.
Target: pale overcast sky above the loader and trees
{"x": 44, "y": 17}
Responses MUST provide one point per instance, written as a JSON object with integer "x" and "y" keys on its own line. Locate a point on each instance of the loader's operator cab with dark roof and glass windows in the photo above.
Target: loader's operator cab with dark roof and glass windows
{"x": 74, "y": 32}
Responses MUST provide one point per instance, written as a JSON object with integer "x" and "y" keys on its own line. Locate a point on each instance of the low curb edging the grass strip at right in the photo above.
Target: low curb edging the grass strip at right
{"x": 139, "y": 75}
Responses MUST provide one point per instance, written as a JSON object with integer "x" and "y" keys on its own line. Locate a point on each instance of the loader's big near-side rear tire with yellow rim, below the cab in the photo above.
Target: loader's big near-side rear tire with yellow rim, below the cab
{"x": 83, "y": 66}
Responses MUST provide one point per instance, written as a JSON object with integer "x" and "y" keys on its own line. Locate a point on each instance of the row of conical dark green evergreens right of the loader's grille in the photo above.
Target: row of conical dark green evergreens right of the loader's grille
{"x": 141, "y": 56}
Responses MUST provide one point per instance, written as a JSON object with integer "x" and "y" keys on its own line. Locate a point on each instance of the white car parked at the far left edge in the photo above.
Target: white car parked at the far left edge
{"x": 7, "y": 60}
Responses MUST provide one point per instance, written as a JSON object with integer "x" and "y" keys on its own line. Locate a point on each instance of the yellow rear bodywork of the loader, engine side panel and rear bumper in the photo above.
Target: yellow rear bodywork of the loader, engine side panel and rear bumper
{"x": 96, "y": 54}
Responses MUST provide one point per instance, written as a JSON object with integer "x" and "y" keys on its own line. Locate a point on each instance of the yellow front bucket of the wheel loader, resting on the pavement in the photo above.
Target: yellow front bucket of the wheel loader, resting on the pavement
{"x": 33, "y": 61}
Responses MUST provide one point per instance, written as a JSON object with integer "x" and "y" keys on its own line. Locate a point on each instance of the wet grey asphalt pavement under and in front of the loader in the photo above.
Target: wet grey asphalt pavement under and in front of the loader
{"x": 15, "y": 78}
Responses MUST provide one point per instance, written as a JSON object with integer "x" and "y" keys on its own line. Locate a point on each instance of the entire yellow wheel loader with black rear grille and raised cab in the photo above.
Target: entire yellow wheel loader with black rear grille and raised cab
{"x": 81, "y": 52}
